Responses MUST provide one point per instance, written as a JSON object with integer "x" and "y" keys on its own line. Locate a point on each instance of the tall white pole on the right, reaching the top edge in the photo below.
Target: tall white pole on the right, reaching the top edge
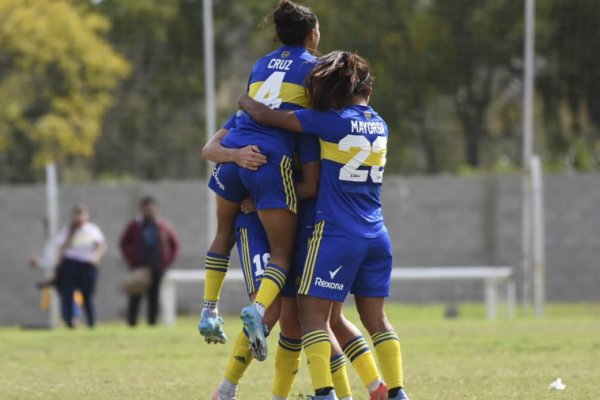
{"x": 528, "y": 80}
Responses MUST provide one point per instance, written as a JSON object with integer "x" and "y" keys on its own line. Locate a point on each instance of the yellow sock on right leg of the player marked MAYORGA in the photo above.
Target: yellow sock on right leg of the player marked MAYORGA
{"x": 387, "y": 347}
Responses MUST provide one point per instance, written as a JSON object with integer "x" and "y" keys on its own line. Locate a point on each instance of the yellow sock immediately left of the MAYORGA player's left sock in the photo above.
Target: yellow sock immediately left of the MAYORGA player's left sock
{"x": 287, "y": 362}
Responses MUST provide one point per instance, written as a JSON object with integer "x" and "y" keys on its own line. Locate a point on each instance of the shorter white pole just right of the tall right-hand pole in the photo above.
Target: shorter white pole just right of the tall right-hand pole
{"x": 538, "y": 258}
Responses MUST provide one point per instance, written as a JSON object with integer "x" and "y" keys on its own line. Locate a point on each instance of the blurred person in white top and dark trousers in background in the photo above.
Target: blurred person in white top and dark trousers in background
{"x": 82, "y": 246}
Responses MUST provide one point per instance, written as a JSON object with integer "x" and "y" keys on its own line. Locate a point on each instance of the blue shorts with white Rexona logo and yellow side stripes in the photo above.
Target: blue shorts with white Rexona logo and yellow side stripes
{"x": 339, "y": 262}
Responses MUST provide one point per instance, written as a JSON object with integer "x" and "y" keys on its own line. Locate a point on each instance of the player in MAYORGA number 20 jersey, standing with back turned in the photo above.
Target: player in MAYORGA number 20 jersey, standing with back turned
{"x": 350, "y": 249}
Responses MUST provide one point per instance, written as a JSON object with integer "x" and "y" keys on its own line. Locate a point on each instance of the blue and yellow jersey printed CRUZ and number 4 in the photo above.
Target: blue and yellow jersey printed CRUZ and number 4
{"x": 277, "y": 80}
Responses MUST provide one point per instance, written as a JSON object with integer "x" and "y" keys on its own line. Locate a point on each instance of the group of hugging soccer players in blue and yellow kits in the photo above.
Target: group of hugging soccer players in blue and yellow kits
{"x": 298, "y": 183}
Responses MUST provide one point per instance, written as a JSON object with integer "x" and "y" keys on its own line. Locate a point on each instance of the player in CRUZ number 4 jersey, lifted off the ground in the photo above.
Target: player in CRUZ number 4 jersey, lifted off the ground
{"x": 278, "y": 81}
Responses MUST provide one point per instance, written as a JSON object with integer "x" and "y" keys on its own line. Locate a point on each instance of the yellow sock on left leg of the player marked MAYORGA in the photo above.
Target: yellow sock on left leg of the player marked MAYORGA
{"x": 318, "y": 351}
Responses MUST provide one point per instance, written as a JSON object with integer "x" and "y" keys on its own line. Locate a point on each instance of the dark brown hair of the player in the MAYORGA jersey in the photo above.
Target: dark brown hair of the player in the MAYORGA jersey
{"x": 337, "y": 78}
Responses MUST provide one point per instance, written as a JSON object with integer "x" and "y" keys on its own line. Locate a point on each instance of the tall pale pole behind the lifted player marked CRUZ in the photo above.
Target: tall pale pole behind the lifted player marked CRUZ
{"x": 210, "y": 125}
